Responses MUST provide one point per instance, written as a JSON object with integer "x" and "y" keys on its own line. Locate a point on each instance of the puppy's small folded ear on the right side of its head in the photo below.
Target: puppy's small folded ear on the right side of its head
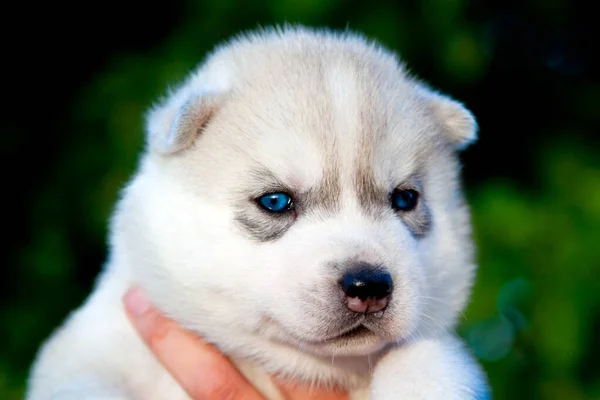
{"x": 460, "y": 126}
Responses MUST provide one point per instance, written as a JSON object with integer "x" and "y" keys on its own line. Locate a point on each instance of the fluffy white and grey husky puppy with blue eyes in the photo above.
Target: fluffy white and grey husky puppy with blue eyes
{"x": 298, "y": 204}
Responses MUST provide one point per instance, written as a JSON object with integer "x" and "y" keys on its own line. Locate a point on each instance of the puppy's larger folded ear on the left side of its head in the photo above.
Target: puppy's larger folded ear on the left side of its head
{"x": 174, "y": 125}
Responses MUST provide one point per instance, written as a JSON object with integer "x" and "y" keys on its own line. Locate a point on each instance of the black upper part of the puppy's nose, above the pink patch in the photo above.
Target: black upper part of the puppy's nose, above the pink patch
{"x": 367, "y": 282}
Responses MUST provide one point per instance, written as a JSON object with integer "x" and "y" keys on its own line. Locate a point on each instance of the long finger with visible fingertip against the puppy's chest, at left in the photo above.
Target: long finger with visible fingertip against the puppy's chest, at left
{"x": 202, "y": 371}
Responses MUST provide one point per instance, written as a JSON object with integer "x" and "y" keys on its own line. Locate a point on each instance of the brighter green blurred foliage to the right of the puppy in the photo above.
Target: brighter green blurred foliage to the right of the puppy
{"x": 534, "y": 318}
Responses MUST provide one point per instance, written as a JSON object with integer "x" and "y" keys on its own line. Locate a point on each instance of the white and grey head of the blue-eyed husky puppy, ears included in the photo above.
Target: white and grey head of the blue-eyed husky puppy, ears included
{"x": 301, "y": 187}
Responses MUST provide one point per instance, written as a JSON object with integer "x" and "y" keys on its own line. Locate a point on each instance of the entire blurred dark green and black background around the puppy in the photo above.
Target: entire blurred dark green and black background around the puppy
{"x": 78, "y": 79}
